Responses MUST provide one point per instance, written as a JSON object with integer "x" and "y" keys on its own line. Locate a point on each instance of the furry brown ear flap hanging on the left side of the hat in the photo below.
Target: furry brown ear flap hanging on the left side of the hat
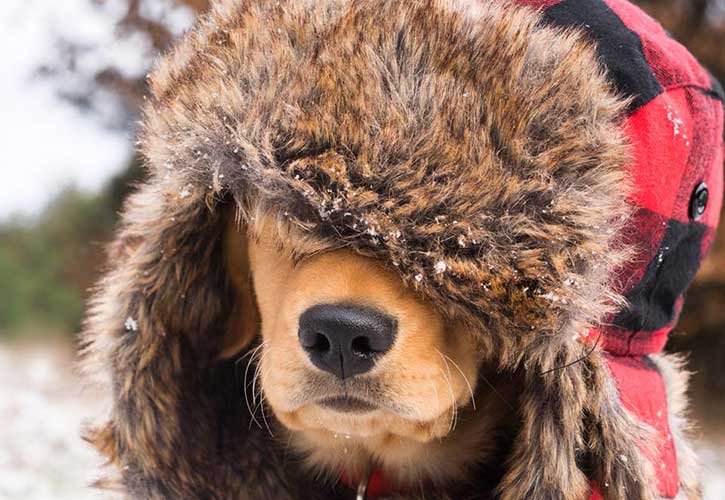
{"x": 157, "y": 323}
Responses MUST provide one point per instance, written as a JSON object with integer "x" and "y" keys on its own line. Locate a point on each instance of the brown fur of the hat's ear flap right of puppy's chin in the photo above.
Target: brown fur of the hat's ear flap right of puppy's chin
{"x": 571, "y": 419}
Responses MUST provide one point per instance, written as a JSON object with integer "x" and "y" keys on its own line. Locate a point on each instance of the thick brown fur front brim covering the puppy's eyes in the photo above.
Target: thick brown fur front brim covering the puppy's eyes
{"x": 402, "y": 144}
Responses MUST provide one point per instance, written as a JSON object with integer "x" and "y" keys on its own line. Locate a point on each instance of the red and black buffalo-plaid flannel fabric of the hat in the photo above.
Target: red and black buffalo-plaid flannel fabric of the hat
{"x": 675, "y": 125}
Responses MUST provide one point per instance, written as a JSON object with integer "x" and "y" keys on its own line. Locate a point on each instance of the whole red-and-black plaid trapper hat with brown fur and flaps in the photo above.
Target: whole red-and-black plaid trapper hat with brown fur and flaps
{"x": 537, "y": 171}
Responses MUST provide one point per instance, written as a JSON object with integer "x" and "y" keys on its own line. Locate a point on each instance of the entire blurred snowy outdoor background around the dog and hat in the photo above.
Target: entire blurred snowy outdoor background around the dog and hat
{"x": 70, "y": 94}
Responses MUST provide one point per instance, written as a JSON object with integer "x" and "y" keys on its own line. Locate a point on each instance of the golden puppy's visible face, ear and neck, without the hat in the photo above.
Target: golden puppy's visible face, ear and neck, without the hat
{"x": 362, "y": 372}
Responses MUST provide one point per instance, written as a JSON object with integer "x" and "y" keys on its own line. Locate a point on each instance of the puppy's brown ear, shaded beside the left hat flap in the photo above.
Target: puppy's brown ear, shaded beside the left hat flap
{"x": 243, "y": 325}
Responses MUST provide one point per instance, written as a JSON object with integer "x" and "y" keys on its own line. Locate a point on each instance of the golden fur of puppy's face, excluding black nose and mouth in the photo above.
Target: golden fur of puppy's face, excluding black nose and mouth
{"x": 424, "y": 382}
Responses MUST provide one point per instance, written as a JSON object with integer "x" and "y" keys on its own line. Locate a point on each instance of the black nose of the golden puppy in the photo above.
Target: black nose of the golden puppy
{"x": 344, "y": 339}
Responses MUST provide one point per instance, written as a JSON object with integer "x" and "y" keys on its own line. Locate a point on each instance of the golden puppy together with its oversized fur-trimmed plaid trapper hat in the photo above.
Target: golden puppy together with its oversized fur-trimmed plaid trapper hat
{"x": 406, "y": 249}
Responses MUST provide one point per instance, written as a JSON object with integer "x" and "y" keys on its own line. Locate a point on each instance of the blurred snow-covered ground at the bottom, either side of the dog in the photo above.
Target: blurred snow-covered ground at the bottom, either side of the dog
{"x": 42, "y": 407}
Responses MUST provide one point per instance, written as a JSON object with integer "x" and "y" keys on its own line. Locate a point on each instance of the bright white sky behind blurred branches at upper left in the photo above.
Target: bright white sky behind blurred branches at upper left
{"x": 46, "y": 144}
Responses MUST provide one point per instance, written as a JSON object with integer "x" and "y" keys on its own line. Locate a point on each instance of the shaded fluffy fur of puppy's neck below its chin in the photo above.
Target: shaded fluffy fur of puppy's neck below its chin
{"x": 476, "y": 438}
